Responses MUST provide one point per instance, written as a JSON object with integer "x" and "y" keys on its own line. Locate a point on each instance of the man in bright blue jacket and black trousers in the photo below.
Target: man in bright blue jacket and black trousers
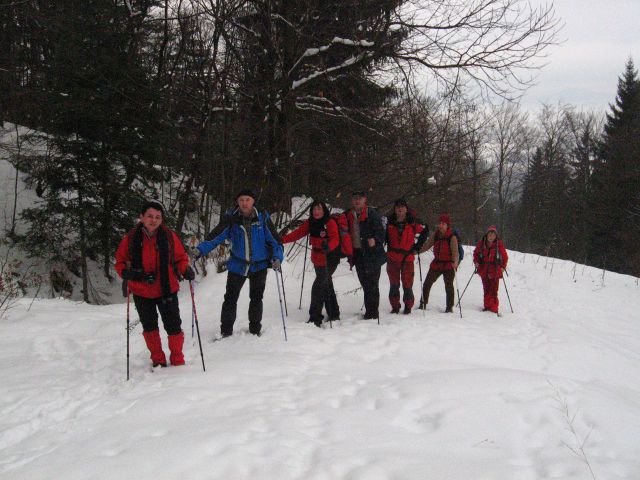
{"x": 254, "y": 247}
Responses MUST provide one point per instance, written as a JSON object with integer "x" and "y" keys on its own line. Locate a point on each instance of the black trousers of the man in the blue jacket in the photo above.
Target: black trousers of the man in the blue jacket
{"x": 257, "y": 282}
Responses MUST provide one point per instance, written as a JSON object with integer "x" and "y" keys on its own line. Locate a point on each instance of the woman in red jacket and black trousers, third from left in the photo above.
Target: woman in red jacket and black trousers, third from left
{"x": 325, "y": 256}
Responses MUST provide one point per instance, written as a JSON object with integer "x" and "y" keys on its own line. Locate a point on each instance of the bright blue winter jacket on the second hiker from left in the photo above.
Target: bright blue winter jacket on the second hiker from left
{"x": 247, "y": 258}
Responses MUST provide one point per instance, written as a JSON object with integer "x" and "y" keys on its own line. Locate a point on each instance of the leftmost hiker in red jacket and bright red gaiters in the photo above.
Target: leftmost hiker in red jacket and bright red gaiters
{"x": 152, "y": 260}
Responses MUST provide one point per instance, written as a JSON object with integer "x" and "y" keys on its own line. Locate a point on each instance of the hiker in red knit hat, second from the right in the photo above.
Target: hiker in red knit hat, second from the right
{"x": 445, "y": 260}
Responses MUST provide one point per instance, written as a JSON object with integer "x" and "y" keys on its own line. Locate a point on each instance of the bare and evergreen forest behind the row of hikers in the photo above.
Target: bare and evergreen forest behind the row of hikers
{"x": 193, "y": 100}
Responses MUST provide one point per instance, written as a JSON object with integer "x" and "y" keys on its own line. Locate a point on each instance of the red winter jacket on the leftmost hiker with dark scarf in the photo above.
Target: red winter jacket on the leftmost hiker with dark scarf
{"x": 178, "y": 261}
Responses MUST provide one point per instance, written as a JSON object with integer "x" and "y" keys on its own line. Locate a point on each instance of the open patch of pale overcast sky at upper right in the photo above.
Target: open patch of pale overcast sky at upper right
{"x": 600, "y": 35}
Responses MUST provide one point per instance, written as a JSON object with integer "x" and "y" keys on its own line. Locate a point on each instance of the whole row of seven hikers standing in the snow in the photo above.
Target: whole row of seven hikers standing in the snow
{"x": 152, "y": 261}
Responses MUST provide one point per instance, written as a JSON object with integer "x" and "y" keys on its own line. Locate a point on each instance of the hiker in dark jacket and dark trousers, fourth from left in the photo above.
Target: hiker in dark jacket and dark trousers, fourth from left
{"x": 367, "y": 237}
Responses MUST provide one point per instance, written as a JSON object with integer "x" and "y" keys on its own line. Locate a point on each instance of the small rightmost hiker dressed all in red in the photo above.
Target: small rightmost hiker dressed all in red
{"x": 490, "y": 259}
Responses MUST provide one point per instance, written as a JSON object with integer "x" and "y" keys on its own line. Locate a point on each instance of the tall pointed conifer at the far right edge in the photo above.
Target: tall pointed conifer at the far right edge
{"x": 615, "y": 199}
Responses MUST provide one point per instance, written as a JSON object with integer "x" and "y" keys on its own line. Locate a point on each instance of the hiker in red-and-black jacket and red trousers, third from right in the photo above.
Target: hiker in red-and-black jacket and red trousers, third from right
{"x": 402, "y": 230}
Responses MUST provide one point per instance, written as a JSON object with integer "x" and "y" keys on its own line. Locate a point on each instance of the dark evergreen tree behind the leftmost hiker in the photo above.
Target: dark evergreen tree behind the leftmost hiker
{"x": 99, "y": 121}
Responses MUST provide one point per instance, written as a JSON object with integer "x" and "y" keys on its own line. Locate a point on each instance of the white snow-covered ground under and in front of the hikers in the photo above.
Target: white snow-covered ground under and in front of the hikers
{"x": 551, "y": 391}
